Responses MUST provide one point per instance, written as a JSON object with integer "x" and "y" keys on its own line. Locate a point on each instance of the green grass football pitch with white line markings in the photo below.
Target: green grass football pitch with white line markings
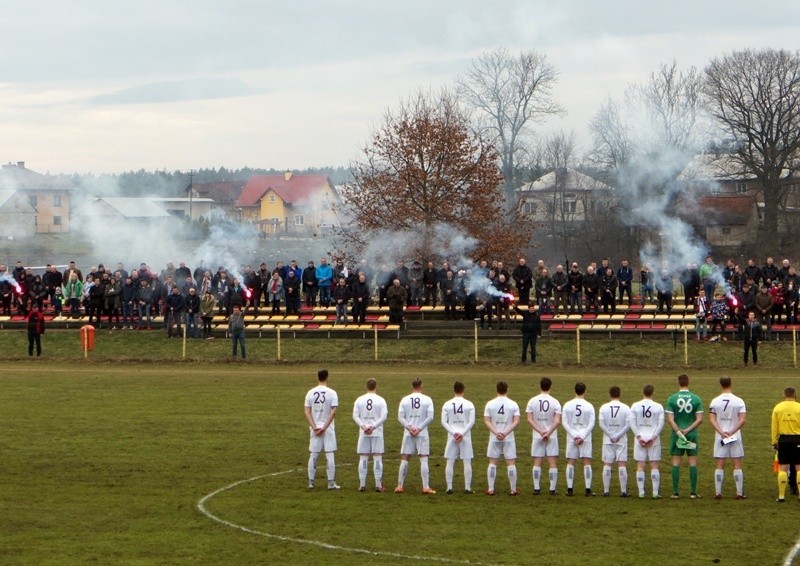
{"x": 107, "y": 463}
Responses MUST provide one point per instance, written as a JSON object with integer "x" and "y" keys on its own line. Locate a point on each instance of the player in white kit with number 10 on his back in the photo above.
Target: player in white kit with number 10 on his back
{"x": 544, "y": 416}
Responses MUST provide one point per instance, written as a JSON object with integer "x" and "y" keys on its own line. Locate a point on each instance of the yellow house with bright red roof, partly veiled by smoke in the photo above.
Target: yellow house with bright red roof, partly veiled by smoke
{"x": 290, "y": 203}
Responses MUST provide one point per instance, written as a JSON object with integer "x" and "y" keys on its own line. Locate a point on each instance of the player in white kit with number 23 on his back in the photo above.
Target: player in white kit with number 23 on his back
{"x": 320, "y": 409}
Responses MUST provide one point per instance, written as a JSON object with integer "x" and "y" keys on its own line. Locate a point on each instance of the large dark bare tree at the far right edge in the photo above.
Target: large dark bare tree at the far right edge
{"x": 755, "y": 96}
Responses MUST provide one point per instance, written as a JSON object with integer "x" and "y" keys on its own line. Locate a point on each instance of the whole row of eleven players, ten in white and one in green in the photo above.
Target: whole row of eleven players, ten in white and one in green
{"x": 644, "y": 419}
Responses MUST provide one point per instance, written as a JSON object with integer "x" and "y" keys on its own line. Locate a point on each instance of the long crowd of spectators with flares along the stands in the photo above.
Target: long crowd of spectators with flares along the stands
{"x": 719, "y": 295}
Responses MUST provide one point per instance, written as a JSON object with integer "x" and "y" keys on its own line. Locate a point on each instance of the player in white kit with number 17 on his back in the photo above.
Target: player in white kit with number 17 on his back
{"x": 613, "y": 421}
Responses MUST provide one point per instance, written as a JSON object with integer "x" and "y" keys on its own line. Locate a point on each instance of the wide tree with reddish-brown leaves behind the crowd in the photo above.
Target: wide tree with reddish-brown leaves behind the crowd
{"x": 426, "y": 167}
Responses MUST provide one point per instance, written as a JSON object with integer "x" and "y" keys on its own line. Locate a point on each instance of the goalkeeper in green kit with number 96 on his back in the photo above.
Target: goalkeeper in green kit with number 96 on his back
{"x": 684, "y": 412}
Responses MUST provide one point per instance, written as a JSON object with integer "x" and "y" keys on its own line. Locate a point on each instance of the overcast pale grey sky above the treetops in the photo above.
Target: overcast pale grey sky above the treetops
{"x": 98, "y": 86}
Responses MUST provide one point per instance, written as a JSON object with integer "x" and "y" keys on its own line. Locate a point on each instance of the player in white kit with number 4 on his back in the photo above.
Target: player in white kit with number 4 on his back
{"x": 501, "y": 417}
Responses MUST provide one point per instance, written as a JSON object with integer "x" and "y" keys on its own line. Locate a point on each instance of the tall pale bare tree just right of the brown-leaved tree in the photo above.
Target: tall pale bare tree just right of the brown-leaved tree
{"x": 511, "y": 93}
